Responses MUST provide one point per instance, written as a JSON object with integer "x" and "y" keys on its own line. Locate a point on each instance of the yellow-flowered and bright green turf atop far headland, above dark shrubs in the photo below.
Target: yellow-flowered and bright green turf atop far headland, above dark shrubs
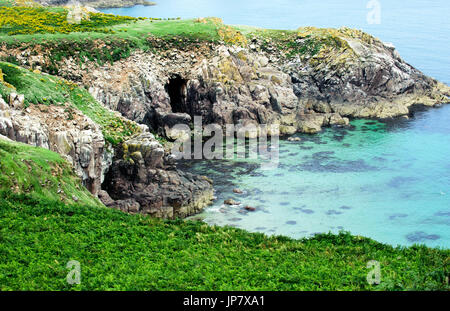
{"x": 111, "y": 26}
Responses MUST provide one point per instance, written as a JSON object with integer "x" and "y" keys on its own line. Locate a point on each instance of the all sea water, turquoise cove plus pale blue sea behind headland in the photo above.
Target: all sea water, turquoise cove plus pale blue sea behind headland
{"x": 388, "y": 181}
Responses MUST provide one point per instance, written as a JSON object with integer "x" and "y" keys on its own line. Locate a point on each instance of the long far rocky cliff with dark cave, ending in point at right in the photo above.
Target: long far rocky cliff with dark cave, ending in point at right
{"x": 318, "y": 78}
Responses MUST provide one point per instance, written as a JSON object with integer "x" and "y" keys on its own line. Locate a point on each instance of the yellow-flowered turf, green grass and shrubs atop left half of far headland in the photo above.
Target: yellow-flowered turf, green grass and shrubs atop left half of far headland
{"x": 103, "y": 37}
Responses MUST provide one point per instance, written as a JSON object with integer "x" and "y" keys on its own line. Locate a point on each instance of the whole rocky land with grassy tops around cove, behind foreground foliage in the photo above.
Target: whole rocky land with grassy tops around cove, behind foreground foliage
{"x": 104, "y": 96}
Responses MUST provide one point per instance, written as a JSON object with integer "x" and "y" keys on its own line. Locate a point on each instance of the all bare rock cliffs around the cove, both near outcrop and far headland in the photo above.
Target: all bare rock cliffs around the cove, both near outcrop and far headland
{"x": 361, "y": 77}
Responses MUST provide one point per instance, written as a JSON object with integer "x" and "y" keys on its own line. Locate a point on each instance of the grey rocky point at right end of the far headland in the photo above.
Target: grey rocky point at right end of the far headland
{"x": 365, "y": 78}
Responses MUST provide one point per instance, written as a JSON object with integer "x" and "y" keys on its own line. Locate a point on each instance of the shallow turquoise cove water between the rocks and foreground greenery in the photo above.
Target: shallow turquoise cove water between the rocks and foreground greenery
{"x": 387, "y": 181}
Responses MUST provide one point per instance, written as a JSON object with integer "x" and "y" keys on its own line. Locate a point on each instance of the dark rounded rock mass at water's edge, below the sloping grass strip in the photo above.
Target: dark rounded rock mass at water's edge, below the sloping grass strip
{"x": 142, "y": 180}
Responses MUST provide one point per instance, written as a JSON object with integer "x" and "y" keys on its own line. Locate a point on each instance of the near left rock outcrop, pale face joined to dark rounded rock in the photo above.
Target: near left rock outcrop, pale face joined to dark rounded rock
{"x": 138, "y": 176}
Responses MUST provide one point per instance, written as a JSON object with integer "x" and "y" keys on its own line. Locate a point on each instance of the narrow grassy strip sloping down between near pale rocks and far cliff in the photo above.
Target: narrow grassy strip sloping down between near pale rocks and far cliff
{"x": 45, "y": 89}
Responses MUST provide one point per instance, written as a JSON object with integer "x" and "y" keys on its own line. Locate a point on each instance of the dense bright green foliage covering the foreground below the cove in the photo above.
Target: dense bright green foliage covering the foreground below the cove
{"x": 118, "y": 251}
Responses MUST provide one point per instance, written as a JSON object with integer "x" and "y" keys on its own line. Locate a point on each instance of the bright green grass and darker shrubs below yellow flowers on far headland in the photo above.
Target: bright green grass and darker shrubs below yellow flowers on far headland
{"x": 106, "y": 47}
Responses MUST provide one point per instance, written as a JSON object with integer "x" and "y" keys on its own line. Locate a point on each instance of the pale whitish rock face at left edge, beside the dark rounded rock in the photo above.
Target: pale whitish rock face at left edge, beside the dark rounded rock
{"x": 62, "y": 129}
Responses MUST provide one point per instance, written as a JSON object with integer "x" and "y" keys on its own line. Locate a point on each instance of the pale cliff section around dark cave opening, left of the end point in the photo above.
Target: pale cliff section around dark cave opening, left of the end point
{"x": 222, "y": 84}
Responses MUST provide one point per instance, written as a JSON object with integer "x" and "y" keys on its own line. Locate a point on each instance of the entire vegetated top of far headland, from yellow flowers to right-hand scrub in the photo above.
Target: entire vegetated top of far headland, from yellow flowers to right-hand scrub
{"x": 108, "y": 38}
